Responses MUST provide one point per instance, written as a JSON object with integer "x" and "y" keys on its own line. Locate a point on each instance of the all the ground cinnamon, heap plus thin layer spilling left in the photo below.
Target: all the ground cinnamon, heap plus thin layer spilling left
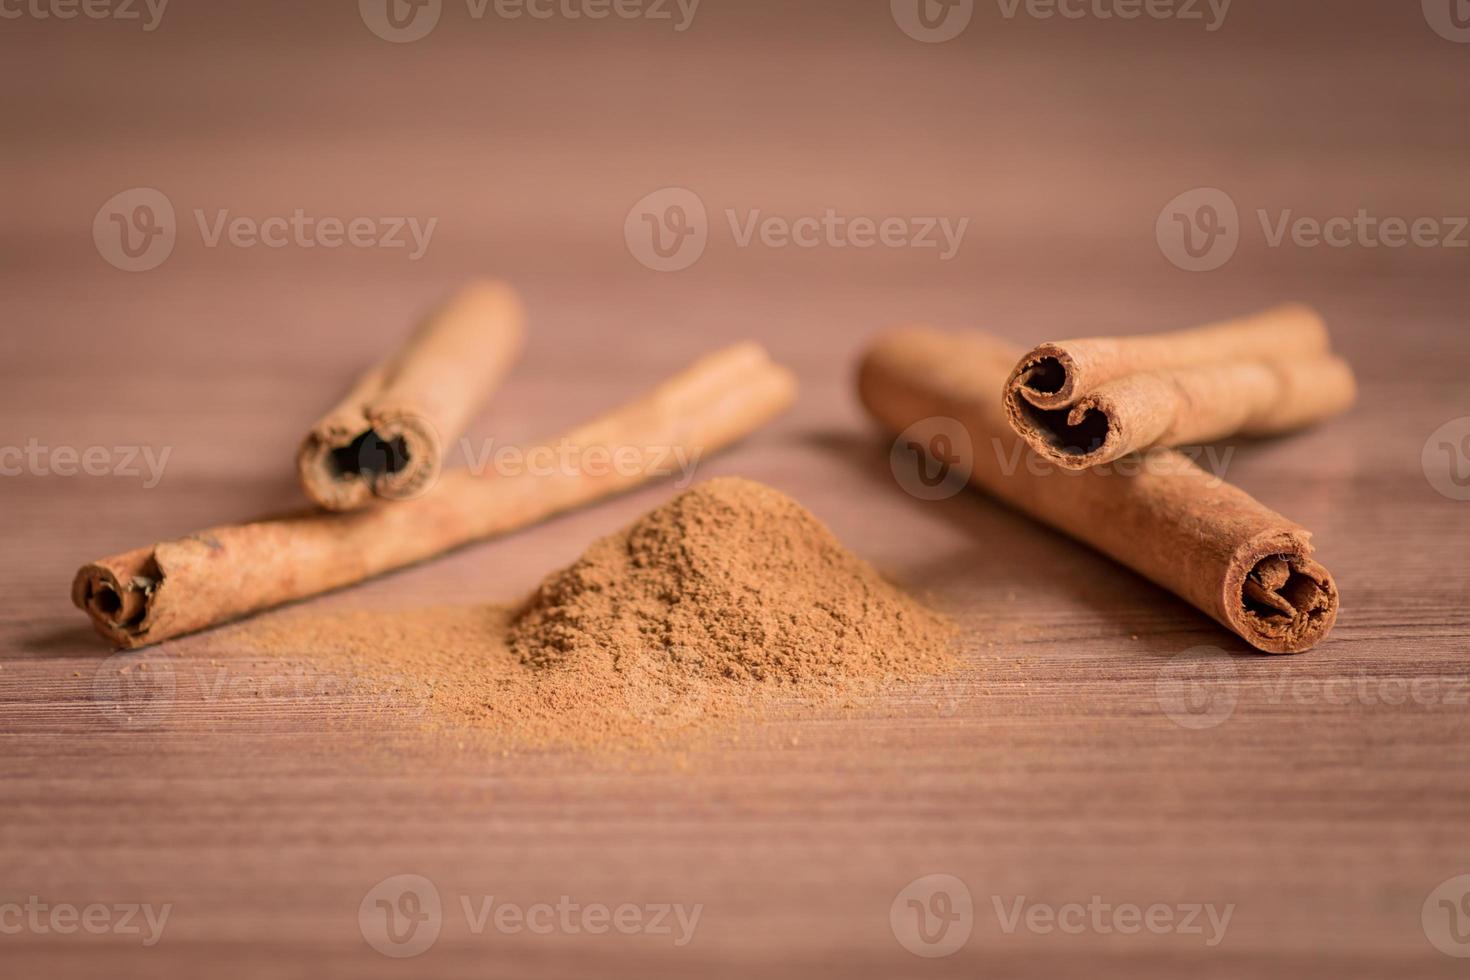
{"x": 728, "y": 602}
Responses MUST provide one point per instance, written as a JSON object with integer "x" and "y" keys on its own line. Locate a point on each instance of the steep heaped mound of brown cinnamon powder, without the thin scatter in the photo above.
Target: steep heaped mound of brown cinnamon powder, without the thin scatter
{"x": 731, "y": 583}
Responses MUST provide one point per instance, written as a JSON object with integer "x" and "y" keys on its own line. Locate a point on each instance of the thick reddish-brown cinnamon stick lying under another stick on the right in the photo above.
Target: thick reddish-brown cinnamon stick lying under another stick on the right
{"x": 1166, "y": 519}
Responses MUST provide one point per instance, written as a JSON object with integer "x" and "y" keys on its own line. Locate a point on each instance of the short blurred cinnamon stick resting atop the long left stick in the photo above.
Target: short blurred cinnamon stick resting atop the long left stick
{"x": 386, "y": 439}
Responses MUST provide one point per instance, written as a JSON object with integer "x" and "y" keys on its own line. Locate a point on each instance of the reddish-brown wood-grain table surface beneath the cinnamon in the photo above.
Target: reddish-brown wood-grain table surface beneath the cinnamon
{"x": 1324, "y": 800}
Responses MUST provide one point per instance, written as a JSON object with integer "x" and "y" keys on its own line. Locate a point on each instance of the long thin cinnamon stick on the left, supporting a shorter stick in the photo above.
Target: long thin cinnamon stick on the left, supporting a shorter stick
{"x": 177, "y": 587}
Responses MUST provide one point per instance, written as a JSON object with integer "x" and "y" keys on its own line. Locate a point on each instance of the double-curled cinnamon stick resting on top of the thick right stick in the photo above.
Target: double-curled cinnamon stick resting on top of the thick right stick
{"x": 1090, "y": 402}
